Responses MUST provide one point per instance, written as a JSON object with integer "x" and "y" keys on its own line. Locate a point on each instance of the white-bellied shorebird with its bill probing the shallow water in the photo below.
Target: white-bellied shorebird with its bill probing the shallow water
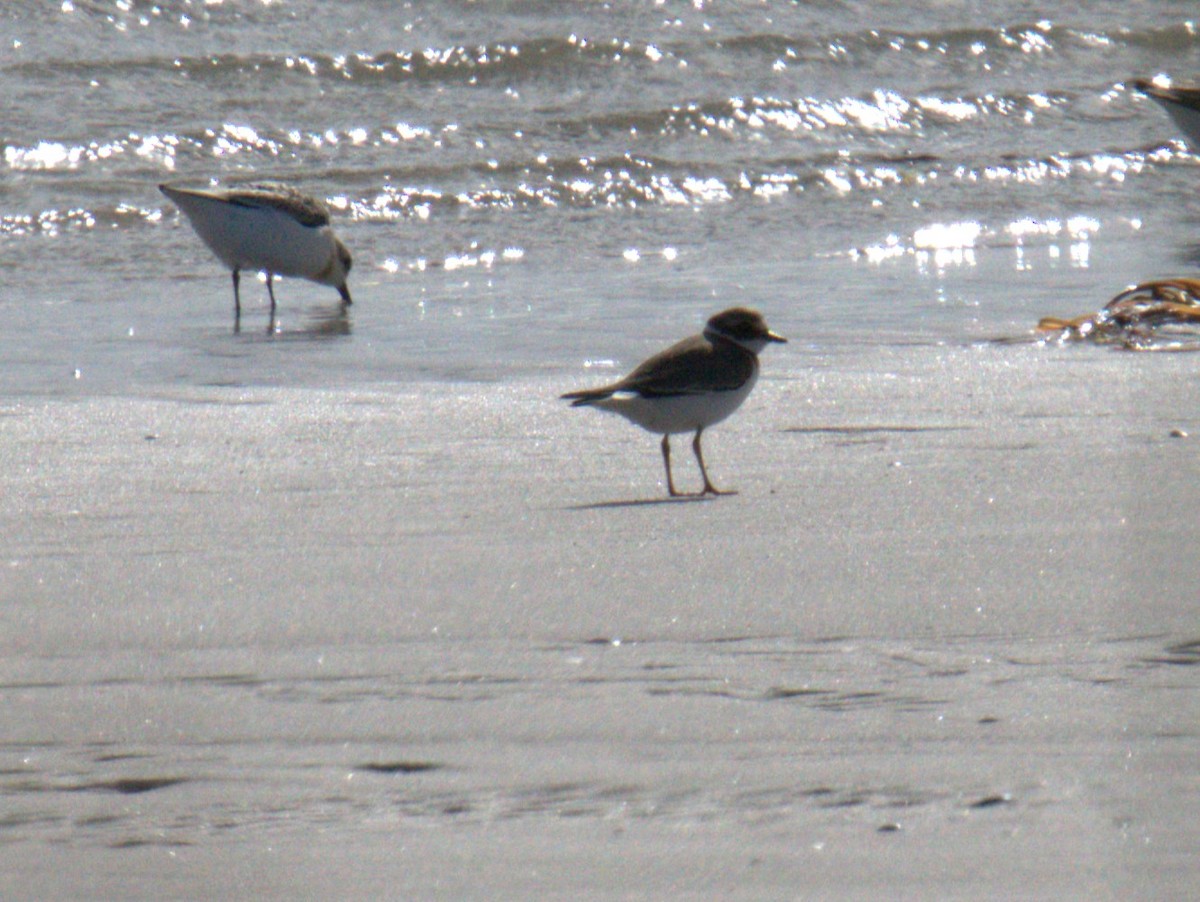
{"x": 267, "y": 227}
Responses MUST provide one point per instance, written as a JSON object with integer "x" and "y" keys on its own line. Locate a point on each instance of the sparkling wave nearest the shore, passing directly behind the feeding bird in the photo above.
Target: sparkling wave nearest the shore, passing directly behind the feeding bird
{"x": 629, "y": 182}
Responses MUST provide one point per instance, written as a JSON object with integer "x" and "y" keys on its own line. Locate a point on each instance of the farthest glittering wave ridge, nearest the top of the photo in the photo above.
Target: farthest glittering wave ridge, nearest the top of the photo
{"x": 551, "y": 56}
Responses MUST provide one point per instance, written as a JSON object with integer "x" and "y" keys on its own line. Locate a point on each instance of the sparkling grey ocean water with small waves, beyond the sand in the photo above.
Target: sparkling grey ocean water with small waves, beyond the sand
{"x": 537, "y": 188}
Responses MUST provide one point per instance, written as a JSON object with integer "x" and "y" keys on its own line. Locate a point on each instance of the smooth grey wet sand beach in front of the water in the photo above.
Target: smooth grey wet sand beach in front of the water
{"x": 451, "y": 640}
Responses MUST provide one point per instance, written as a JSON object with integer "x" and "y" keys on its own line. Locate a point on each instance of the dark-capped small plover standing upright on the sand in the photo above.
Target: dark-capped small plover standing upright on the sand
{"x": 691, "y": 386}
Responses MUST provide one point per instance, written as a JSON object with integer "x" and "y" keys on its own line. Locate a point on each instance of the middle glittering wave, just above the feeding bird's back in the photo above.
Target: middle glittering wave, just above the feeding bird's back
{"x": 735, "y": 118}
